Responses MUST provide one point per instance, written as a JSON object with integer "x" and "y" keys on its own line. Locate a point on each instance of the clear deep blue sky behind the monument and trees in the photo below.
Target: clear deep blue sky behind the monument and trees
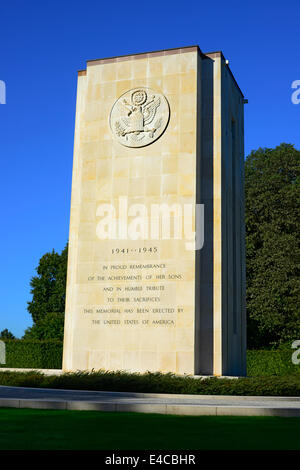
{"x": 43, "y": 44}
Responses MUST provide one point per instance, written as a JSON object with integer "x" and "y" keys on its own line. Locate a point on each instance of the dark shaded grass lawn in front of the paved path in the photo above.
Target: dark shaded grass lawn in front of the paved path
{"x": 46, "y": 429}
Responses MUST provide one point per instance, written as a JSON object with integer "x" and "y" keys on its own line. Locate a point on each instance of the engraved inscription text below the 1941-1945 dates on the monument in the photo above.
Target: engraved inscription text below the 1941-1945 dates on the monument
{"x": 147, "y": 299}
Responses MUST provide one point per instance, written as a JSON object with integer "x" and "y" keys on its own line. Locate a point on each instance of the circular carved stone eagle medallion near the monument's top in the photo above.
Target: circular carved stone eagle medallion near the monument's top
{"x": 139, "y": 117}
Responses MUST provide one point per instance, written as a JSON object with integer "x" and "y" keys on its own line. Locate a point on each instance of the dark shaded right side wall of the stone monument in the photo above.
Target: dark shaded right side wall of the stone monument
{"x": 233, "y": 262}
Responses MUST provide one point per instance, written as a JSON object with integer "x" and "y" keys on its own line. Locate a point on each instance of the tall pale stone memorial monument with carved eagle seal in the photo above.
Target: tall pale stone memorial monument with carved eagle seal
{"x": 156, "y": 268}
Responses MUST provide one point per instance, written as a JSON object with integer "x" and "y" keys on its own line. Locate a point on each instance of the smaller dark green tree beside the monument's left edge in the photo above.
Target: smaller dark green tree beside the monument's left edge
{"x": 48, "y": 288}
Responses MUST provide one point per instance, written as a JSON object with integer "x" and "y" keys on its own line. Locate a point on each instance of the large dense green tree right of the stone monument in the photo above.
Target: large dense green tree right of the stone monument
{"x": 272, "y": 197}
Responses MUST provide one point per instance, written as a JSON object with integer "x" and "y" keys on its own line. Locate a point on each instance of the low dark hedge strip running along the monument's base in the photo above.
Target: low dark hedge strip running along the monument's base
{"x": 157, "y": 383}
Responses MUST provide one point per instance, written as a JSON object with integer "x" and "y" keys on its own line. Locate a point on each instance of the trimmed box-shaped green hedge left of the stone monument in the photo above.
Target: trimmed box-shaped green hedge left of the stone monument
{"x": 33, "y": 354}
